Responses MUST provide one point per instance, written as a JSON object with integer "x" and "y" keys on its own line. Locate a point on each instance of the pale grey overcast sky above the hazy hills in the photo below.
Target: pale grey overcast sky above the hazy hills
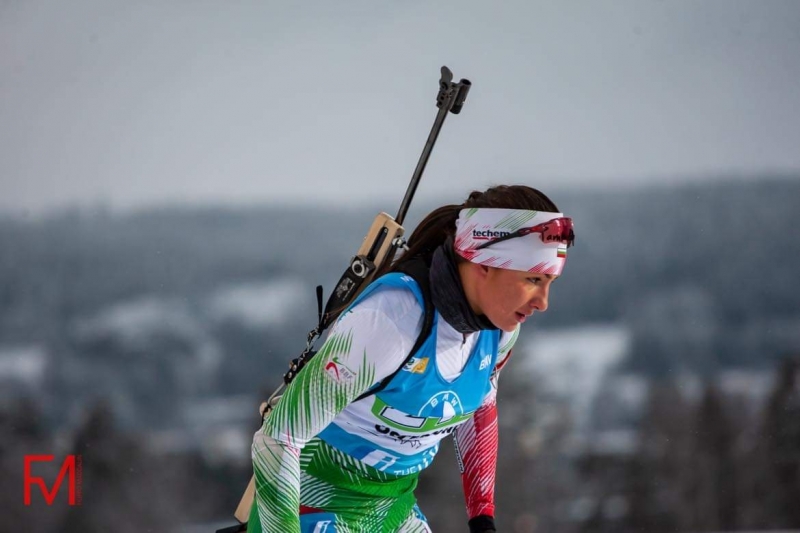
{"x": 129, "y": 103}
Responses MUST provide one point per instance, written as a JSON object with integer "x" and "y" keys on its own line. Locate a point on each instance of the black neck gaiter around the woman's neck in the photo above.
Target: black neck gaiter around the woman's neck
{"x": 448, "y": 294}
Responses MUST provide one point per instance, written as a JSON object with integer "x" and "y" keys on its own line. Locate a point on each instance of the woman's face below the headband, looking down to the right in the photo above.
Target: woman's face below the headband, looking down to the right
{"x": 508, "y": 297}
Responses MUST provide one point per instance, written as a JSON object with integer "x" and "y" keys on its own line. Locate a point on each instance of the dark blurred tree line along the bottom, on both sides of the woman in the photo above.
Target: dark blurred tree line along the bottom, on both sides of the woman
{"x": 711, "y": 464}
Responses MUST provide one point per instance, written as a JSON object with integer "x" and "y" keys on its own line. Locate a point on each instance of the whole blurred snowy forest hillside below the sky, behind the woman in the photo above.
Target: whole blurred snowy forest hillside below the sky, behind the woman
{"x": 145, "y": 341}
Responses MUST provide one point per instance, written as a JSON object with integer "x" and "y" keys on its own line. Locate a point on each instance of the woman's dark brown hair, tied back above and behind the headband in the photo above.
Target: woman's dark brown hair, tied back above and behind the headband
{"x": 440, "y": 223}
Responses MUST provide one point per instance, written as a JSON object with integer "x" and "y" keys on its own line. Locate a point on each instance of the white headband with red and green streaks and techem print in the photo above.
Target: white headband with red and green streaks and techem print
{"x": 477, "y": 226}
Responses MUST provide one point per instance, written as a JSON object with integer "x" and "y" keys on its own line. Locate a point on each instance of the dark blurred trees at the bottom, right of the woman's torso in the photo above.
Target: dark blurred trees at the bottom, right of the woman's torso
{"x": 711, "y": 464}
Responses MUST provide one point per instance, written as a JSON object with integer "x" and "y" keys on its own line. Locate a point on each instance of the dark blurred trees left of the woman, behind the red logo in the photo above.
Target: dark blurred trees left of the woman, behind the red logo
{"x": 124, "y": 487}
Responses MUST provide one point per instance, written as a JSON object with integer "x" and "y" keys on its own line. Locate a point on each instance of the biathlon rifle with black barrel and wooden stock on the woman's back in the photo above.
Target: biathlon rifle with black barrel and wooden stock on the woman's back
{"x": 382, "y": 241}
